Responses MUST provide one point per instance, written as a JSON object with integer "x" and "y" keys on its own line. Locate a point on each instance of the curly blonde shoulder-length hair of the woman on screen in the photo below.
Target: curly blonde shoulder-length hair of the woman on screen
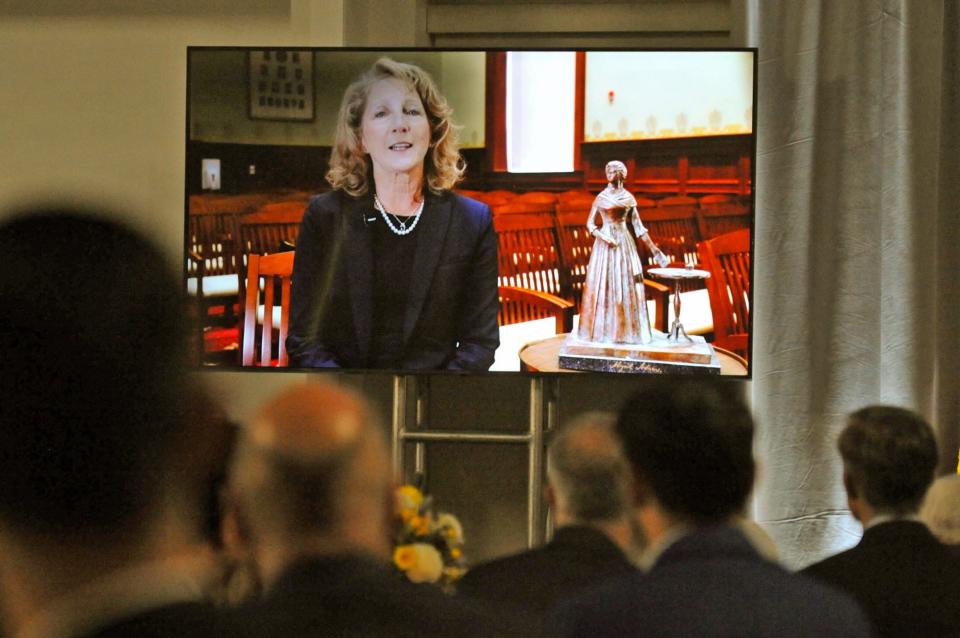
{"x": 350, "y": 167}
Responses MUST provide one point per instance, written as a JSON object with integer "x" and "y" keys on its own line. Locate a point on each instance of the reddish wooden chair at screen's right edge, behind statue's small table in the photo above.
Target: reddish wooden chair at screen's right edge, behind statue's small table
{"x": 727, "y": 257}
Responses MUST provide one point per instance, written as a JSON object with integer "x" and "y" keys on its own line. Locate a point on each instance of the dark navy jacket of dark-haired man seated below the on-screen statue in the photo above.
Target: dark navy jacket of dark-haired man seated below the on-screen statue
{"x": 712, "y": 583}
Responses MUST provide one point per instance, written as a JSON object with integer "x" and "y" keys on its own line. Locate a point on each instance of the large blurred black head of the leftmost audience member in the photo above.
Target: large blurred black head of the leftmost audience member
{"x": 93, "y": 344}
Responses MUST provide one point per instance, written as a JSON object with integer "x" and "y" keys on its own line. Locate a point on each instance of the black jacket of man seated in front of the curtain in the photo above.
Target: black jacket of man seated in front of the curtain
{"x": 906, "y": 580}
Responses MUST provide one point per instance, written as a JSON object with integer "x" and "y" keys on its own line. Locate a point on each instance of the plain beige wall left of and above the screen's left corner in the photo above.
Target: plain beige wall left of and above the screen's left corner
{"x": 93, "y": 107}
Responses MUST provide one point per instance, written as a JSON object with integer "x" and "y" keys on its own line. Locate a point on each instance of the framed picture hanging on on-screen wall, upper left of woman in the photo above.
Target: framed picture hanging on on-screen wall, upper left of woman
{"x": 281, "y": 85}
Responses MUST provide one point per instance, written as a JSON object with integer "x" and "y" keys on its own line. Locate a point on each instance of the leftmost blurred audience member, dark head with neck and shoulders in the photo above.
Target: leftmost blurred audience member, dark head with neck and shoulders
{"x": 101, "y": 509}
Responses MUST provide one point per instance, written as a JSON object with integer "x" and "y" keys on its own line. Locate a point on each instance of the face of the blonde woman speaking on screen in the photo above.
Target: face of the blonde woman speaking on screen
{"x": 394, "y": 129}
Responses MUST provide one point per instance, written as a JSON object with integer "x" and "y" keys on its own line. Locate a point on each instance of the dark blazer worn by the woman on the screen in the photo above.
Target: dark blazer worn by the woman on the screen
{"x": 451, "y": 318}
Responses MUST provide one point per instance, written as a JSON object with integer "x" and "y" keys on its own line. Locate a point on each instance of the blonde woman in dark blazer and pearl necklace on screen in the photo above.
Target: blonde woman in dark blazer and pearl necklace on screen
{"x": 392, "y": 270}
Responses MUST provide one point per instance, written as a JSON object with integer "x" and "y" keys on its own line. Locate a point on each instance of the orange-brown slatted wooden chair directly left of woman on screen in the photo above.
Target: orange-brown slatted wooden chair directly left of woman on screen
{"x": 275, "y": 310}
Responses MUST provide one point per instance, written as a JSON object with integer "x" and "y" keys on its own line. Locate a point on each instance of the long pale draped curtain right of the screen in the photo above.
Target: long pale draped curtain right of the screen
{"x": 857, "y": 258}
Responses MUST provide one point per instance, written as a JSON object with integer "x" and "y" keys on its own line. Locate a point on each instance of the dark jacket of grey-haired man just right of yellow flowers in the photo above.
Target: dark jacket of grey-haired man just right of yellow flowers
{"x": 538, "y": 579}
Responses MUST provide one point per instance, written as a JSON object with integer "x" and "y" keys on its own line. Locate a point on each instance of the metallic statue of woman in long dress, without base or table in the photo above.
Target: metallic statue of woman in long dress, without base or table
{"x": 613, "y": 309}
